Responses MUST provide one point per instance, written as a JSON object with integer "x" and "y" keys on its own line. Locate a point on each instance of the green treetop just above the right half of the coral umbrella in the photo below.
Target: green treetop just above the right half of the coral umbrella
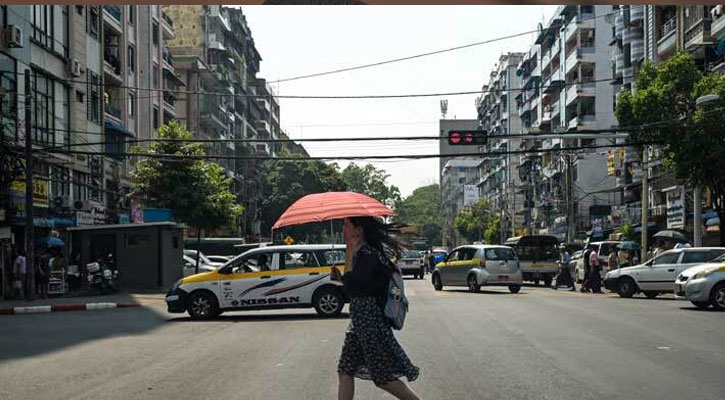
{"x": 370, "y": 181}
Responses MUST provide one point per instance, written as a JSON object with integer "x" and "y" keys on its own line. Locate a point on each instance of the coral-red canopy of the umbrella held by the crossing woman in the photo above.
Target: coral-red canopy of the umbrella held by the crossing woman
{"x": 320, "y": 207}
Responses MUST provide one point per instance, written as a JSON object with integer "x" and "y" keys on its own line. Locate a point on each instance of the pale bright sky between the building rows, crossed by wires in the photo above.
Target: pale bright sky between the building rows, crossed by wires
{"x": 300, "y": 40}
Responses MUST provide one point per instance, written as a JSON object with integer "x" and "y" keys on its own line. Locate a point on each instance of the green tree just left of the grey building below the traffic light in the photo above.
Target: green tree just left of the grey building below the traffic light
{"x": 422, "y": 211}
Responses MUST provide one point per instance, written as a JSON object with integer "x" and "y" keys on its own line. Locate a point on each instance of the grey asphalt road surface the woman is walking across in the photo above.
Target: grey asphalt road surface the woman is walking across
{"x": 538, "y": 344}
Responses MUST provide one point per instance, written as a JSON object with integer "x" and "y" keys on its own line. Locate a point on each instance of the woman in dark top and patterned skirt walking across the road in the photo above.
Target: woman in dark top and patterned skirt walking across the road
{"x": 370, "y": 350}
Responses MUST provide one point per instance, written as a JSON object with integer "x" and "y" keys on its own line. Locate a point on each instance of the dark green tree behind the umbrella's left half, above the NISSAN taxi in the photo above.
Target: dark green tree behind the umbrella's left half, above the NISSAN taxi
{"x": 285, "y": 182}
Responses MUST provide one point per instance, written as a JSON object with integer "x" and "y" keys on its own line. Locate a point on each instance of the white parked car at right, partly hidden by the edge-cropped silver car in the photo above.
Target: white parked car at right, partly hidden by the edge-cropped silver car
{"x": 658, "y": 275}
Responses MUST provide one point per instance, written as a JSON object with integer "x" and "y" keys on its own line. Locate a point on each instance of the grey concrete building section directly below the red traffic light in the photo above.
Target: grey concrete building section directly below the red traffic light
{"x": 456, "y": 174}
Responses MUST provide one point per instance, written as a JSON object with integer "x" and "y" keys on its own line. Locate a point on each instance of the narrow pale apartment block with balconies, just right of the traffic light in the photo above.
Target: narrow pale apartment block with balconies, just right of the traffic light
{"x": 499, "y": 181}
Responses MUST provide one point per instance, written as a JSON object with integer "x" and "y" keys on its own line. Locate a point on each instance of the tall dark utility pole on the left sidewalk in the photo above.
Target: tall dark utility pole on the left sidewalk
{"x": 29, "y": 228}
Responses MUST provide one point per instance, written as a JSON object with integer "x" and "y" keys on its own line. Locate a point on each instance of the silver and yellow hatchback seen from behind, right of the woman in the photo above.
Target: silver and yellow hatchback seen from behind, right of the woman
{"x": 479, "y": 265}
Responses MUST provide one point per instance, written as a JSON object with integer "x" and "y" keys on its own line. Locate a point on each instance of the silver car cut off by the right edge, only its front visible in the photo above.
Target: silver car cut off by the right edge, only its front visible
{"x": 703, "y": 285}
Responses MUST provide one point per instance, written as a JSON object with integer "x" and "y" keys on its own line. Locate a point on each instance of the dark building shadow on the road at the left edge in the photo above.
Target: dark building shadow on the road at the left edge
{"x": 23, "y": 336}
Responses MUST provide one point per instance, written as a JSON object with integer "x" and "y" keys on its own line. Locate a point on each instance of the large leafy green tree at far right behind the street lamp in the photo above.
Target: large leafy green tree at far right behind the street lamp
{"x": 694, "y": 138}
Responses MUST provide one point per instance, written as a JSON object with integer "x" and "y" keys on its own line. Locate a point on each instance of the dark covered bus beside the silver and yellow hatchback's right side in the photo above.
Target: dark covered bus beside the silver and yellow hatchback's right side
{"x": 538, "y": 257}
